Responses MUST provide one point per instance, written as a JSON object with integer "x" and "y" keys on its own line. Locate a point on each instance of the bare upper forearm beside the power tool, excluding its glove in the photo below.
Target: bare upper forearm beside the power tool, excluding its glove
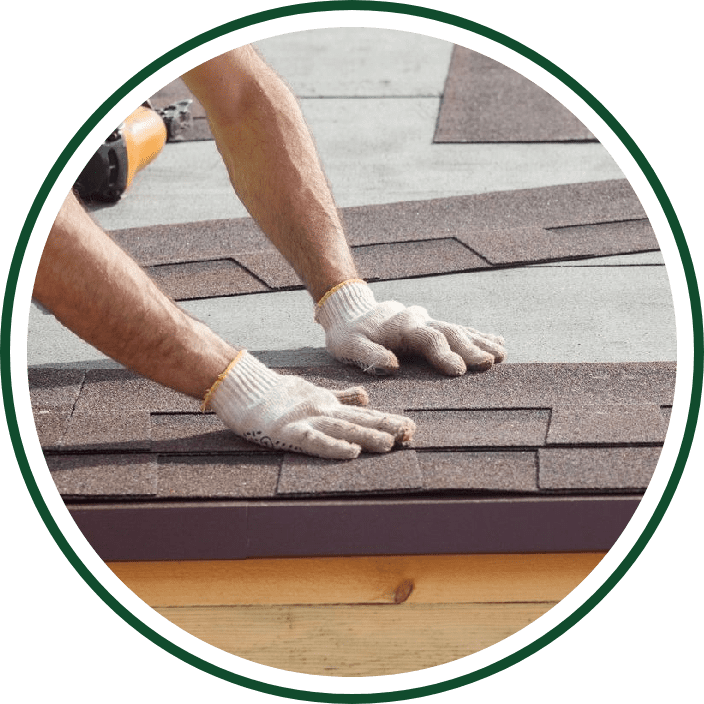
{"x": 273, "y": 164}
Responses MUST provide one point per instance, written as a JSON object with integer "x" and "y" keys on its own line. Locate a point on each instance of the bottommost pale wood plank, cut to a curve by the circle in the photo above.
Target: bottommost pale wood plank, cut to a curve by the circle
{"x": 361, "y": 641}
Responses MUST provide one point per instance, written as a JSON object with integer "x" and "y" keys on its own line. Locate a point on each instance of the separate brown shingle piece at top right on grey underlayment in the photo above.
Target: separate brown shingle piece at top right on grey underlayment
{"x": 485, "y": 101}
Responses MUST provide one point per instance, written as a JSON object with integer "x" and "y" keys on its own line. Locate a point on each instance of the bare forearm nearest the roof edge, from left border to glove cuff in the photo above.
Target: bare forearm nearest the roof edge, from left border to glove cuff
{"x": 96, "y": 290}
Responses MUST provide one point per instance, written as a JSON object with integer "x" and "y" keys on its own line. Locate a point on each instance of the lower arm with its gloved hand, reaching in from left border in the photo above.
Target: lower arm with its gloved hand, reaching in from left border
{"x": 96, "y": 290}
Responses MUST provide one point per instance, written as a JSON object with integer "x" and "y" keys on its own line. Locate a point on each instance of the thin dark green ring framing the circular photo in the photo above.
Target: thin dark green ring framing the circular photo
{"x": 462, "y": 24}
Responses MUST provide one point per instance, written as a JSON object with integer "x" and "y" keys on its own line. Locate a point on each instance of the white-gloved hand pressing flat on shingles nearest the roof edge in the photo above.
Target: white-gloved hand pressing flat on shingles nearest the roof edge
{"x": 288, "y": 413}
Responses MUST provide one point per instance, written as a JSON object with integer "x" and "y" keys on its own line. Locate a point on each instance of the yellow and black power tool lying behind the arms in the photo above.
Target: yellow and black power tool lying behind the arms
{"x": 135, "y": 143}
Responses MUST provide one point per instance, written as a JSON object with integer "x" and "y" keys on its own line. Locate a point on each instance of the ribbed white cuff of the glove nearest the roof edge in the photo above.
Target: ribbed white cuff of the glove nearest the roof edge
{"x": 245, "y": 381}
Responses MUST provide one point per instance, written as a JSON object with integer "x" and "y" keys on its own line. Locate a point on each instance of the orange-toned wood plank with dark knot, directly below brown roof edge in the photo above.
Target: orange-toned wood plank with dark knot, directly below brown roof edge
{"x": 424, "y": 579}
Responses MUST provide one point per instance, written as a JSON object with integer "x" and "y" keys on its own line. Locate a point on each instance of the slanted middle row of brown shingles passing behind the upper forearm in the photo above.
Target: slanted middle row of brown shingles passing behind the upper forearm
{"x": 402, "y": 240}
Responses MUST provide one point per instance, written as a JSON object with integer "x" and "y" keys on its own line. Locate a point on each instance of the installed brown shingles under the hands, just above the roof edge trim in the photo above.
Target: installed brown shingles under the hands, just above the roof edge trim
{"x": 609, "y": 421}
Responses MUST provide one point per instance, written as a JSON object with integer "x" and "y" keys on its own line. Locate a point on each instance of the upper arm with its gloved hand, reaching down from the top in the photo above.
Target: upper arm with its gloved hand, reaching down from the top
{"x": 274, "y": 168}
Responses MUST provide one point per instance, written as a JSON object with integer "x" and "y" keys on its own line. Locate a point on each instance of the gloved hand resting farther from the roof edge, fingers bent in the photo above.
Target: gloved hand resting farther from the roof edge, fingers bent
{"x": 360, "y": 331}
